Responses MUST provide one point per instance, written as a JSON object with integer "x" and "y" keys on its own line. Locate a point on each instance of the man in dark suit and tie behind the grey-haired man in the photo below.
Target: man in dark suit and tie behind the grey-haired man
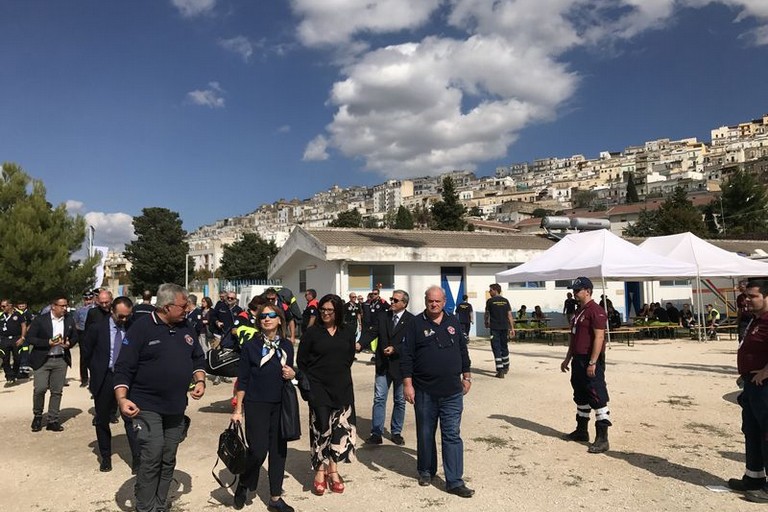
{"x": 101, "y": 347}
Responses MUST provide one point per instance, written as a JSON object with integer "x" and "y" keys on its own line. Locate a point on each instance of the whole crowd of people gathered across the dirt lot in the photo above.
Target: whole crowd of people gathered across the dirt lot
{"x": 142, "y": 361}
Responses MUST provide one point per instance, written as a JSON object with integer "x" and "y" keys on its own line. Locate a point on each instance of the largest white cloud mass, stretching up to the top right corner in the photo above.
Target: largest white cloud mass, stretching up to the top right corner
{"x": 462, "y": 95}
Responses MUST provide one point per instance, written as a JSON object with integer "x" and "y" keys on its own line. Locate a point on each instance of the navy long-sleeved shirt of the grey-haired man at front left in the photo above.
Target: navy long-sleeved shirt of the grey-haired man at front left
{"x": 157, "y": 362}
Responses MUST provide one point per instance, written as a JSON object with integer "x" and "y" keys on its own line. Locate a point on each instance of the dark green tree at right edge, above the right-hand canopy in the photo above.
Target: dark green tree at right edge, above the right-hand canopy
{"x": 744, "y": 203}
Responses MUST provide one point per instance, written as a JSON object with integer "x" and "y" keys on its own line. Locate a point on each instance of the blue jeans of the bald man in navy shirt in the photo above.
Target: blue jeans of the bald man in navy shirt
{"x": 429, "y": 409}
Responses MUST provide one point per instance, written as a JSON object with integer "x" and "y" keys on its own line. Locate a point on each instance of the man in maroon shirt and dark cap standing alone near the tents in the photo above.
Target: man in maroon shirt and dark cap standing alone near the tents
{"x": 586, "y": 352}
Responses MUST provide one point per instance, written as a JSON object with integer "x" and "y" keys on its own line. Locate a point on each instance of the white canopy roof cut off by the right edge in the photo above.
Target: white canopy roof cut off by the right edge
{"x": 710, "y": 260}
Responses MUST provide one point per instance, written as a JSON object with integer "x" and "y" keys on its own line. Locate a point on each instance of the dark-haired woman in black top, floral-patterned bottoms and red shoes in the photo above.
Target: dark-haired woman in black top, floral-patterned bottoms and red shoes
{"x": 326, "y": 353}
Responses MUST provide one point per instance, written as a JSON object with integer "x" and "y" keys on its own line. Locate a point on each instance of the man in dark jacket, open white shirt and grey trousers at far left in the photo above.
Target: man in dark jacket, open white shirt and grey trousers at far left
{"x": 50, "y": 336}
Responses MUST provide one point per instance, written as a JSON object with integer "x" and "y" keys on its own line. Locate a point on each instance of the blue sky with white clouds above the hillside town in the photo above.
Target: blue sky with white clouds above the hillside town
{"x": 213, "y": 107}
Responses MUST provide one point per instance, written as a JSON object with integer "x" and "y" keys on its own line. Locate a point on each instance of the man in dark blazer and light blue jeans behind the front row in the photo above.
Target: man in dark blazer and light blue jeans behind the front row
{"x": 391, "y": 329}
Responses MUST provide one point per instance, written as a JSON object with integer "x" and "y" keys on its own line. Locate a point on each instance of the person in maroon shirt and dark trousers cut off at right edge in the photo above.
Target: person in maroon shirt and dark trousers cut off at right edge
{"x": 752, "y": 364}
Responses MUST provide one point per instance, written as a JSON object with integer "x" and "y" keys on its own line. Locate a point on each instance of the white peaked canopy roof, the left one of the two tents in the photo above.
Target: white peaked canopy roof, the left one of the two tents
{"x": 597, "y": 254}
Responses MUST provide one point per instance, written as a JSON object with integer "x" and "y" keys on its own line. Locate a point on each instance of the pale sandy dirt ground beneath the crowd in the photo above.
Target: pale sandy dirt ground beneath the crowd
{"x": 676, "y": 431}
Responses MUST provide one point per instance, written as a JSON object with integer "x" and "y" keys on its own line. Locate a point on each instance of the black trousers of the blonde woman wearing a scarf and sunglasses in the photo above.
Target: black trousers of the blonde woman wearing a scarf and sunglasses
{"x": 262, "y": 431}
